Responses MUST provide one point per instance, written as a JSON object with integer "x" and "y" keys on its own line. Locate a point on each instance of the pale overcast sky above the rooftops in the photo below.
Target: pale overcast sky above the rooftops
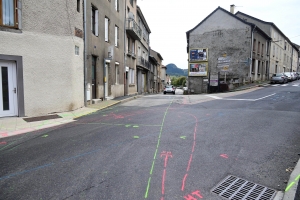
{"x": 169, "y": 20}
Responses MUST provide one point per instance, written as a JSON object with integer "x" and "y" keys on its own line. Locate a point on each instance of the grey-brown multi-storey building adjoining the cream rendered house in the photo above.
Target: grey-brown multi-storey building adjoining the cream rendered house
{"x": 105, "y": 64}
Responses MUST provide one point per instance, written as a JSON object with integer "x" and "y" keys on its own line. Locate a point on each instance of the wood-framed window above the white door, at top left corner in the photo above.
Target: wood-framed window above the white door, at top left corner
{"x": 9, "y": 13}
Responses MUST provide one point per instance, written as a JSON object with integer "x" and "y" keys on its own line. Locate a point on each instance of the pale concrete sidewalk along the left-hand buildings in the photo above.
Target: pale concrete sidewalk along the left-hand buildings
{"x": 11, "y": 126}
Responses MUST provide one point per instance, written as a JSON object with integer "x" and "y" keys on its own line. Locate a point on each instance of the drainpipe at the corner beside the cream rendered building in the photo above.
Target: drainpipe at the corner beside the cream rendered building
{"x": 84, "y": 54}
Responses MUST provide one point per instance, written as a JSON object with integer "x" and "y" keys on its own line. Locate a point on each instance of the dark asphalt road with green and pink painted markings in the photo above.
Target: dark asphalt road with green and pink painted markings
{"x": 164, "y": 147}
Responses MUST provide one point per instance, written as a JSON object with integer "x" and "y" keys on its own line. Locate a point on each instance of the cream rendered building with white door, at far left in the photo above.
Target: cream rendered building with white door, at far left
{"x": 41, "y": 57}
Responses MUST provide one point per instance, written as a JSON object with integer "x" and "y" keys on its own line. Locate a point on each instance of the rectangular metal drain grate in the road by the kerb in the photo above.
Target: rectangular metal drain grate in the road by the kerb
{"x": 239, "y": 189}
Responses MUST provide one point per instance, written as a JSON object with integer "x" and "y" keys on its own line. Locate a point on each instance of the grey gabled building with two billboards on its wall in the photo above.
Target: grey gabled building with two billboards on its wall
{"x": 222, "y": 45}
